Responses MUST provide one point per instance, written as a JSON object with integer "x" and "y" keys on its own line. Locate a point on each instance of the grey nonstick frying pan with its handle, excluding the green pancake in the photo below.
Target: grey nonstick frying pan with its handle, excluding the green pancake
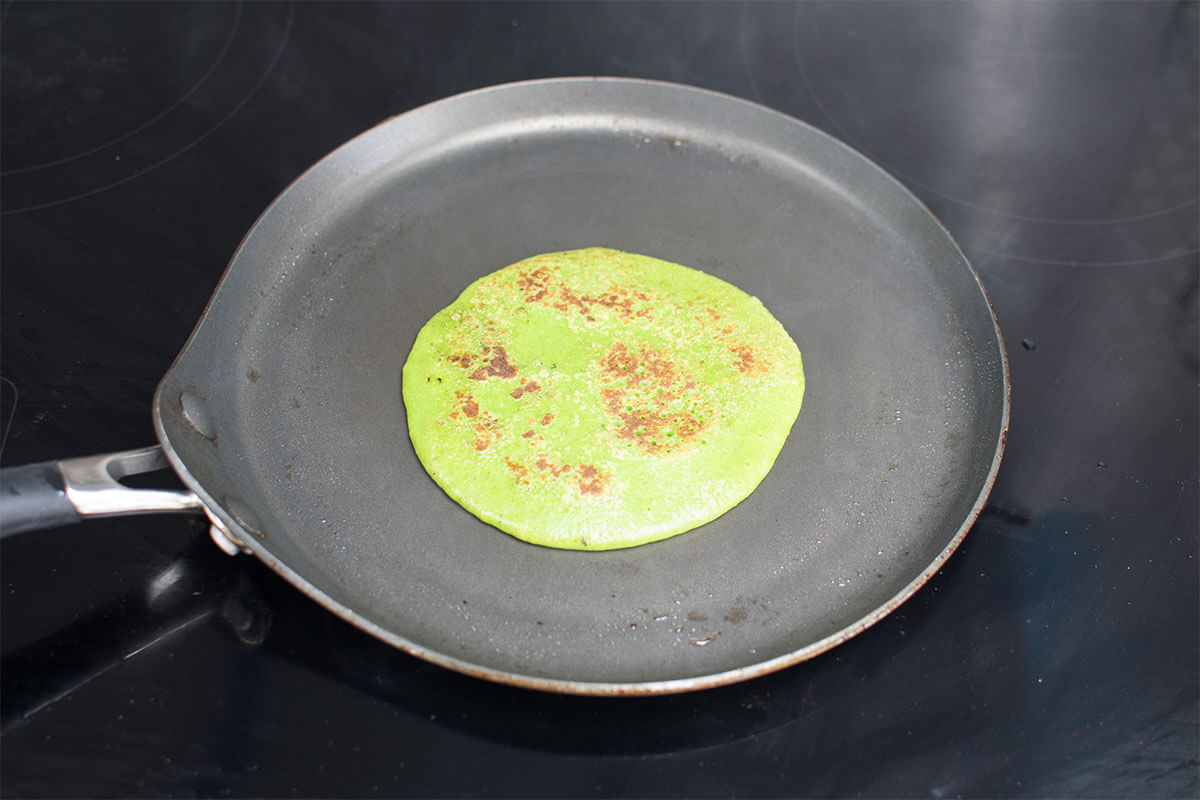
{"x": 284, "y": 416}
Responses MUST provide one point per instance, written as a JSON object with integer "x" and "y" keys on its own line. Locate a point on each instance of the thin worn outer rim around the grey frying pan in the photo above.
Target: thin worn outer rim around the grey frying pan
{"x": 665, "y": 687}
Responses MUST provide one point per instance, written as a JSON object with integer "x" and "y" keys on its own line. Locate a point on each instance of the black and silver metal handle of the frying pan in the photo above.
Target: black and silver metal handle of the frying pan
{"x": 61, "y": 494}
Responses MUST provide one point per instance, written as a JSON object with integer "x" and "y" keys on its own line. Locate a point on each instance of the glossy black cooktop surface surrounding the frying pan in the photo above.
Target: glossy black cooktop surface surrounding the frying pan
{"x": 1057, "y": 654}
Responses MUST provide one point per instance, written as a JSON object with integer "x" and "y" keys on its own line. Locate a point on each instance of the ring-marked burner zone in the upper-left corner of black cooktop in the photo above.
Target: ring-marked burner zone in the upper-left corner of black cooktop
{"x": 136, "y": 103}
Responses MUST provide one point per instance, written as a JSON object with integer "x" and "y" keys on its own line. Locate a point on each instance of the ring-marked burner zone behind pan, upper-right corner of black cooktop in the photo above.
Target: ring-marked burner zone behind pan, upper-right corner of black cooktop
{"x": 1007, "y": 151}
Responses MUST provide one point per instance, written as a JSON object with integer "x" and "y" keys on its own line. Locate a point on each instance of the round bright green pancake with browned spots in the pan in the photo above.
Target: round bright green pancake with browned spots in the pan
{"x": 596, "y": 400}
